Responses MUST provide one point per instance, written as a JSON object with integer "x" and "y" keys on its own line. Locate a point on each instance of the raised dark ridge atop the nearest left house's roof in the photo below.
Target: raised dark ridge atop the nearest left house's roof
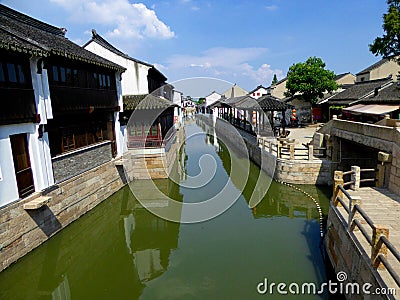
{"x": 23, "y": 18}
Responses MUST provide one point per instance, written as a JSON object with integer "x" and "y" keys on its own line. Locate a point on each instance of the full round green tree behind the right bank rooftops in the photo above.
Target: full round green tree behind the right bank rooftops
{"x": 310, "y": 80}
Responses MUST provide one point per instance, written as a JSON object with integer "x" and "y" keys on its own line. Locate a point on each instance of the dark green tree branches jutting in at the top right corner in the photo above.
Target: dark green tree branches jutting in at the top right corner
{"x": 389, "y": 44}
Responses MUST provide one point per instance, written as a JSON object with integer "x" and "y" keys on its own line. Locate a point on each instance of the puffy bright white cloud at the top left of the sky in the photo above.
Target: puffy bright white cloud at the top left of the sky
{"x": 124, "y": 19}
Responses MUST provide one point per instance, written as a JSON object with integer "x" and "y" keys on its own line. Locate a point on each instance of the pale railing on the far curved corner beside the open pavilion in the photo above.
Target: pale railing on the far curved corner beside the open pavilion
{"x": 286, "y": 148}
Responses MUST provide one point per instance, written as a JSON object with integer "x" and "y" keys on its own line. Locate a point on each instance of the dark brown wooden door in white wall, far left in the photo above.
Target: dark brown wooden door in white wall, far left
{"x": 22, "y": 164}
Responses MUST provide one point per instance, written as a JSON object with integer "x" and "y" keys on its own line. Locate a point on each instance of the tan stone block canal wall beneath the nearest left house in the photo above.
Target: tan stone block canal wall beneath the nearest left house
{"x": 23, "y": 230}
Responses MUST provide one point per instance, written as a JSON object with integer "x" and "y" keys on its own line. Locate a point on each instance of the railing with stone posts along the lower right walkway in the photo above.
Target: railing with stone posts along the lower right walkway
{"x": 376, "y": 235}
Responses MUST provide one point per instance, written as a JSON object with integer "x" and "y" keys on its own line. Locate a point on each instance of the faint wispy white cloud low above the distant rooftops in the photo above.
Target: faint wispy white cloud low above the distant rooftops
{"x": 232, "y": 64}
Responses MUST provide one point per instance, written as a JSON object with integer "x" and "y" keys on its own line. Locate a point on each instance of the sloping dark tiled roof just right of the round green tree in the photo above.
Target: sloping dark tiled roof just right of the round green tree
{"x": 359, "y": 91}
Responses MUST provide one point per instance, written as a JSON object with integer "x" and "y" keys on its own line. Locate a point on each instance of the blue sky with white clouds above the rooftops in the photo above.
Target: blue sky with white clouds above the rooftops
{"x": 243, "y": 42}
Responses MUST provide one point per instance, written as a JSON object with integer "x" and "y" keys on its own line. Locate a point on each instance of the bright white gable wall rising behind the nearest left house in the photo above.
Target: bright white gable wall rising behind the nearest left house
{"x": 134, "y": 79}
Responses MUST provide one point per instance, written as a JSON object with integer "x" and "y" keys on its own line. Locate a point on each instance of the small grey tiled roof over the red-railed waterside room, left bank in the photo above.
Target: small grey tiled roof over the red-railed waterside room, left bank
{"x": 145, "y": 102}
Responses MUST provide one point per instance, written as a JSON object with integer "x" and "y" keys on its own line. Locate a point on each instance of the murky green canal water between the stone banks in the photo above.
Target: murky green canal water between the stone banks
{"x": 119, "y": 250}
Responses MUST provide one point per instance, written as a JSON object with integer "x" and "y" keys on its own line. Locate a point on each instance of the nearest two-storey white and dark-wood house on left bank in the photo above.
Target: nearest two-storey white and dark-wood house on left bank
{"x": 60, "y": 107}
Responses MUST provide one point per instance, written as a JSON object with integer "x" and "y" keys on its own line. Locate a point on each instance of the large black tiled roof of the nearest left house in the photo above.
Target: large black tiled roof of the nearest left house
{"x": 21, "y": 33}
